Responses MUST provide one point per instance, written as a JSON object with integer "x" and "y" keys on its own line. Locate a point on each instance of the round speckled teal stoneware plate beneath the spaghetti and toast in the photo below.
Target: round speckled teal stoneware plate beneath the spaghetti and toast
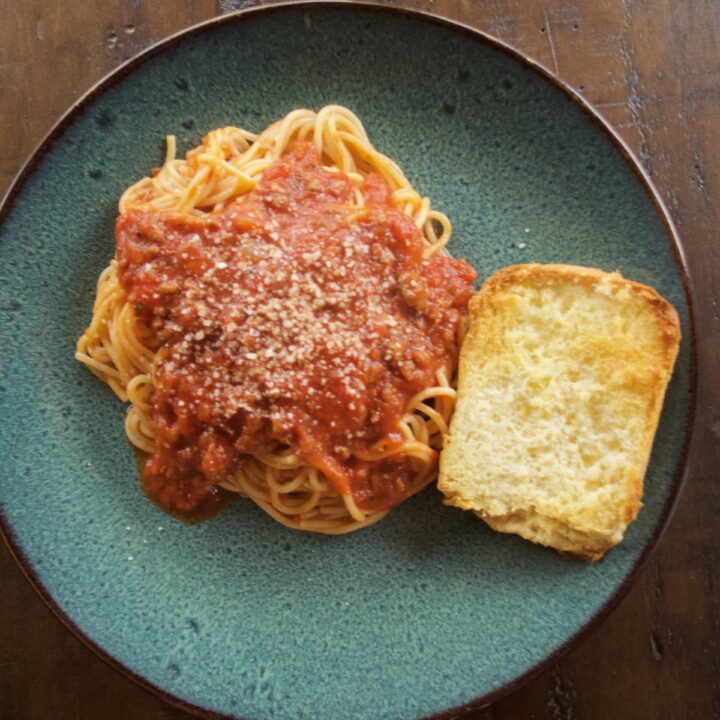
{"x": 429, "y": 610}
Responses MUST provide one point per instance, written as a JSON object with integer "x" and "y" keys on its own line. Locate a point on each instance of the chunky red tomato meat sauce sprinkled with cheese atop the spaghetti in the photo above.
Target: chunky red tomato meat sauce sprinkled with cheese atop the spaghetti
{"x": 290, "y": 318}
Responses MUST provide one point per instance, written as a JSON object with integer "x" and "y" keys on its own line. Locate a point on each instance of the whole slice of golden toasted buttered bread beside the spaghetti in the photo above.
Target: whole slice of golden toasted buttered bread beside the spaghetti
{"x": 561, "y": 382}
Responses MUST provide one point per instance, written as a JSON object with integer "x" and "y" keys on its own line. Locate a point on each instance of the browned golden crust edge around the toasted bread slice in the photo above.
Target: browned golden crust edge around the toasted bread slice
{"x": 586, "y": 537}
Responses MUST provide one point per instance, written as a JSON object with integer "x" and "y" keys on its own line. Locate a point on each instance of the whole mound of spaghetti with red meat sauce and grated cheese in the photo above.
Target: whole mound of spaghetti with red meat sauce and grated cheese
{"x": 284, "y": 320}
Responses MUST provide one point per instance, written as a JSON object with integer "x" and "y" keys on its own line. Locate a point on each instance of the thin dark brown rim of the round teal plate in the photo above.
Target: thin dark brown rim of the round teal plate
{"x": 681, "y": 470}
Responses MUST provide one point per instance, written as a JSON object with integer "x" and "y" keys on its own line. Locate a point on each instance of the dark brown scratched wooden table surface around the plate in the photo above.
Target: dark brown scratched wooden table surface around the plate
{"x": 653, "y": 68}
